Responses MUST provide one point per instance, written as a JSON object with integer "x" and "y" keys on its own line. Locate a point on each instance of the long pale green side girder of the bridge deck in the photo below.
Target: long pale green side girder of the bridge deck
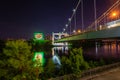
{"x": 108, "y": 33}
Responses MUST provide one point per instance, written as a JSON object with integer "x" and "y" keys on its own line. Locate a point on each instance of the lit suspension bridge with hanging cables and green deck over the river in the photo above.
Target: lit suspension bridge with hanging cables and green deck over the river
{"x": 107, "y": 26}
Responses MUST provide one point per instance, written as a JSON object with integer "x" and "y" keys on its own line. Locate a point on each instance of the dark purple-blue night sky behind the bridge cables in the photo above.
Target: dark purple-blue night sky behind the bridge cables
{"x": 21, "y": 18}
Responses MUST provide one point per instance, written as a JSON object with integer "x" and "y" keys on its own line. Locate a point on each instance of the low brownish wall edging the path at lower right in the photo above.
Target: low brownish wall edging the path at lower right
{"x": 91, "y": 73}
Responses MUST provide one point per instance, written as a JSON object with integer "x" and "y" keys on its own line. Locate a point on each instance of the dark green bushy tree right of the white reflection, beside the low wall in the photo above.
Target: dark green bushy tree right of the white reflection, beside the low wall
{"x": 74, "y": 63}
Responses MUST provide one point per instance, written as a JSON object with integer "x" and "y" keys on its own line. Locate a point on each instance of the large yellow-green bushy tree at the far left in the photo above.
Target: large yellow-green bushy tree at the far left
{"x": 18, "y": 63}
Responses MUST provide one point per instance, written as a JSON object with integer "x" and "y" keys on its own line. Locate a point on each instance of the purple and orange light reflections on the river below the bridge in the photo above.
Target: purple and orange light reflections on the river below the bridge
{"x": 106, "y": 50}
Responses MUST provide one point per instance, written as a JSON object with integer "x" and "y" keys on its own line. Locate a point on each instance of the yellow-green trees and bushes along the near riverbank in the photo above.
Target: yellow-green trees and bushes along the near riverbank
{"x": 16, "y": 63}
